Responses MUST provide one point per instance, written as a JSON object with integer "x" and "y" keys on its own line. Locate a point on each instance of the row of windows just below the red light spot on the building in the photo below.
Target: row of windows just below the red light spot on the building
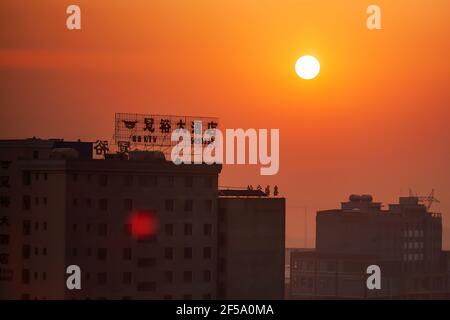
{"x": 102, "y": 254}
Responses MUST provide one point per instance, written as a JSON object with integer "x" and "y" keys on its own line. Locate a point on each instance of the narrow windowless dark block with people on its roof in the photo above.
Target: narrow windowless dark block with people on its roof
{"x": 251, "y": 245}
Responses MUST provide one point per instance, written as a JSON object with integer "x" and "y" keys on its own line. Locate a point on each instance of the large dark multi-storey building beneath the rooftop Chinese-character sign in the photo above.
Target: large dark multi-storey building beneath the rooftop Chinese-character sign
{"x": 66, "y": 209}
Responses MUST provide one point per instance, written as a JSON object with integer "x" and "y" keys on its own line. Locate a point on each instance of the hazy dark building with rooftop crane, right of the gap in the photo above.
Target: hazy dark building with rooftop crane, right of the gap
{"x": 404, "y": 241}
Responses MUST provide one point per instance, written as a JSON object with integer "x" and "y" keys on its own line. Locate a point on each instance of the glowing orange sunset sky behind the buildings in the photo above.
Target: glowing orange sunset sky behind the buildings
{"x": 376, "y": 120}
